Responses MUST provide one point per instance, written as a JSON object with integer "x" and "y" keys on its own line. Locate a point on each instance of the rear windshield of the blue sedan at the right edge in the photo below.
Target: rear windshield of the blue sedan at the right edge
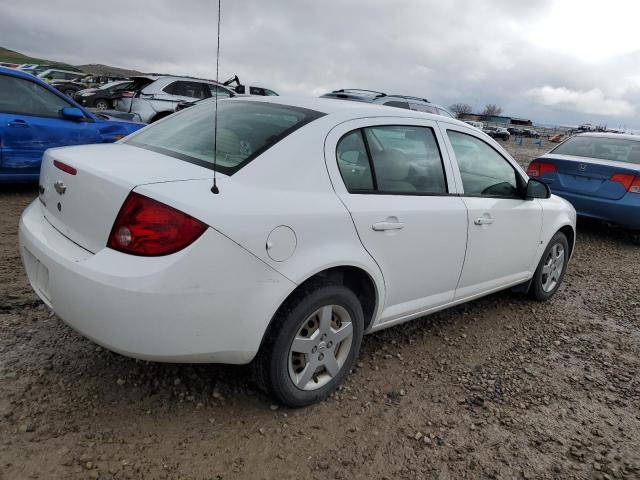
{"x": 618, "y": 149}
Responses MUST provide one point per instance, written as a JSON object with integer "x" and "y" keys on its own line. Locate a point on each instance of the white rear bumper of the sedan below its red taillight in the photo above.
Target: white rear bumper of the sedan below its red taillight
{"x": 211, "y": 302}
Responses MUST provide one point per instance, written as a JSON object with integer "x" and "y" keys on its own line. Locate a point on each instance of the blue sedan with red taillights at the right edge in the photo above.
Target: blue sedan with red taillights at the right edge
{"x": 599, "y": 173}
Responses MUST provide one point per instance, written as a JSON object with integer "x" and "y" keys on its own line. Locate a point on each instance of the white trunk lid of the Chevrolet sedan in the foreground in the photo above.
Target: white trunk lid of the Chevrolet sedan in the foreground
{"x": 84, "y": 206}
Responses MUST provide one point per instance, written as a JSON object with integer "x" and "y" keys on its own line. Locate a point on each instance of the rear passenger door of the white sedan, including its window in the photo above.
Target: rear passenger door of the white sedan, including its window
{"x": 392, "y": 176}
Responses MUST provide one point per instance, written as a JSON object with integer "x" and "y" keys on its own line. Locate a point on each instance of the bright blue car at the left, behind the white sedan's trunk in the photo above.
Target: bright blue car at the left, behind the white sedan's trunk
{"x": 35, "y": 116}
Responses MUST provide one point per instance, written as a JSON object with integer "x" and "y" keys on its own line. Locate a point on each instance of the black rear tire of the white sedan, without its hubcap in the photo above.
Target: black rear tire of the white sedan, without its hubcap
{"x": 271, "y": 365}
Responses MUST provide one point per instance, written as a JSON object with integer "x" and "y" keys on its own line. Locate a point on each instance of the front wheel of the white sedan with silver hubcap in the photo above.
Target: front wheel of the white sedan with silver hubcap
{"x": 551, "y": 269}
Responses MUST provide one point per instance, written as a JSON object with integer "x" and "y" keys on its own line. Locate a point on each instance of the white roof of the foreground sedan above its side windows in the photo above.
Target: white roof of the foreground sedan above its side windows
{"x": 355, "y": 109}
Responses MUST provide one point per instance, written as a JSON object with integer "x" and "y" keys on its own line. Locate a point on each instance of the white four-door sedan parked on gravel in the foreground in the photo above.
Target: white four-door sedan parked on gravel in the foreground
{"x": 313, "y": 222}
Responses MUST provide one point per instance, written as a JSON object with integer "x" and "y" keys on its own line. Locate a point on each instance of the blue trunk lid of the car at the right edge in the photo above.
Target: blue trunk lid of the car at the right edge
{"x": 588, "y": 176}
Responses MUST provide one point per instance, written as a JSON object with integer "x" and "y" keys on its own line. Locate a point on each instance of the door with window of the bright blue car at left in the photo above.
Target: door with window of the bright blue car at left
{"x": 30, "y": 122}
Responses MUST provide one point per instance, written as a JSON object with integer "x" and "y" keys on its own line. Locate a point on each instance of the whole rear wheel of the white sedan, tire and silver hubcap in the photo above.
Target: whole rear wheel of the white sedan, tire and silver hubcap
{"x": 311, "y": 346}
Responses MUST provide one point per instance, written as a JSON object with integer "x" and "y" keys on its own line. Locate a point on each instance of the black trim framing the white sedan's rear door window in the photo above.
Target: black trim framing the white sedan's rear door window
{"x": 434, "y": 130}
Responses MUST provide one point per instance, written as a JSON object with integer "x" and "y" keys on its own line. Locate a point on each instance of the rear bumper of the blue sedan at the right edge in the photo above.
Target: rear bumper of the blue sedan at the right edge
{"x": 624, "y": 211}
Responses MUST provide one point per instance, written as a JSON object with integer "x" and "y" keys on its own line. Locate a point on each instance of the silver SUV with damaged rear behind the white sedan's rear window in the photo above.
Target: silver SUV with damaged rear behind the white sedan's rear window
{"x": 152, "y": 97}
